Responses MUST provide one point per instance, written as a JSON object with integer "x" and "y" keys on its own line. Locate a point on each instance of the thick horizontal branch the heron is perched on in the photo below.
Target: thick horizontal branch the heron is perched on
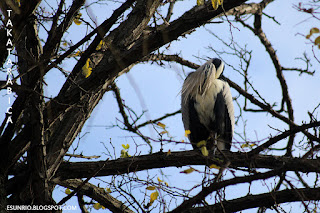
{"x": 177, "y": 159}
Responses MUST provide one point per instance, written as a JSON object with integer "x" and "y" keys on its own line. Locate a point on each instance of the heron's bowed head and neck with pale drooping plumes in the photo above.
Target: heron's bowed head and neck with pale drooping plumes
{"x": 199, "y": 81}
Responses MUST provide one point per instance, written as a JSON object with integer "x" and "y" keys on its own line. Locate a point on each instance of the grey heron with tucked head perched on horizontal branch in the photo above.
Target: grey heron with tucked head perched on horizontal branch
{"x": 207, "y": 108}
